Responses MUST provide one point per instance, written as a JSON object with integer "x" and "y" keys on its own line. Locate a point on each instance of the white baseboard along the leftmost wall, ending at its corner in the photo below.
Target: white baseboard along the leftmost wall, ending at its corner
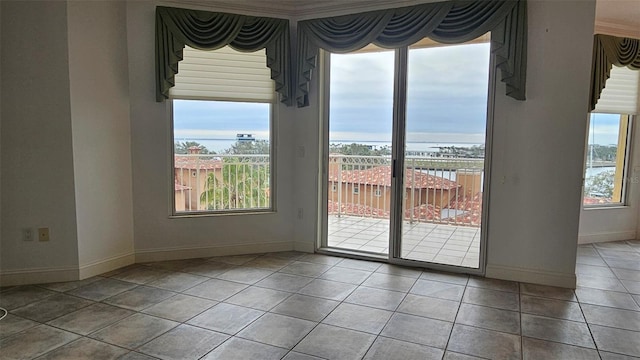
{"x": 38, "y": 276}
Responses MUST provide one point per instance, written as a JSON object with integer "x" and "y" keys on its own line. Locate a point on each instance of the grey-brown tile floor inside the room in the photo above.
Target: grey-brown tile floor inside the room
{"x": 303, "y": 306}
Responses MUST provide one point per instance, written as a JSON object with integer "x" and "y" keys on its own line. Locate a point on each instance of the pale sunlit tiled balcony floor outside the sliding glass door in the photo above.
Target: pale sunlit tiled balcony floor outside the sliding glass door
{"x": 443, "y": 244}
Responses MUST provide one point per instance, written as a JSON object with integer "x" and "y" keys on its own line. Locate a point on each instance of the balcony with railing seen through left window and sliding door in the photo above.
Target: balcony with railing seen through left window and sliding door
{"x": 442, "y": 200}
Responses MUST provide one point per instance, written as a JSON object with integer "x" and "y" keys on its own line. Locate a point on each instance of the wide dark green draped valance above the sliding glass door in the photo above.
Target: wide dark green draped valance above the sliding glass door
{"x": 447, "y": 22}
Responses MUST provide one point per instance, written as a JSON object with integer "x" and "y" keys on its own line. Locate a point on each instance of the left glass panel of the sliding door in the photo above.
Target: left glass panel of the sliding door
{"x": 359, "y": 142}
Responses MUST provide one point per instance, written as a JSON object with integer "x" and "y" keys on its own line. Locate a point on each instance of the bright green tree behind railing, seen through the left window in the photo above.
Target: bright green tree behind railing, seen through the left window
{"x": 242, "y": 186}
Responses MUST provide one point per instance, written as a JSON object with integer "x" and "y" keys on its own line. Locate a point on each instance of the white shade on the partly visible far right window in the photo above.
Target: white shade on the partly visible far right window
{"x": 620, "y": 94}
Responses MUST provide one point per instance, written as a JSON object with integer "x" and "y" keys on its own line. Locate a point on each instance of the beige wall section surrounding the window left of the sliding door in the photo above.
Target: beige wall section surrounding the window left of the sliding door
{"x": 159, "y": 235}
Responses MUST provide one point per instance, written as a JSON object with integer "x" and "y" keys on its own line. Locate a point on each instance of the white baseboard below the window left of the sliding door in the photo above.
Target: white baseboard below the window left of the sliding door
{"x": 163, "y": 254}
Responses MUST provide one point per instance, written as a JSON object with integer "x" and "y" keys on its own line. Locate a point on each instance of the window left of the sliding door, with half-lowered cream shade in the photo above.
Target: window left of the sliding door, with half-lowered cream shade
{"x": 222, "y": 131}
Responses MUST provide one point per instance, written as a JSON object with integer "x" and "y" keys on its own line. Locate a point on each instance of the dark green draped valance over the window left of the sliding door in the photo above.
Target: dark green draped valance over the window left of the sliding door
{"x": 206, "y": 30}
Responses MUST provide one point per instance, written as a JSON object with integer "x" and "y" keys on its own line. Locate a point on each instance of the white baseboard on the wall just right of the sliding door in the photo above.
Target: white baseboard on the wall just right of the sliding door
{"x": 531, "y": 276}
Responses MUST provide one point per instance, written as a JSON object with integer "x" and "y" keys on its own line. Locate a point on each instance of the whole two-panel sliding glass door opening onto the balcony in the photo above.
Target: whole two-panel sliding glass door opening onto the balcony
{"x": 405, "y": 164}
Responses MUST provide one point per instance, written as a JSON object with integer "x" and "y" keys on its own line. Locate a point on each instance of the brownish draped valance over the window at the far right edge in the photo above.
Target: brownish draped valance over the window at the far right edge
{"x": 608, "y": 51}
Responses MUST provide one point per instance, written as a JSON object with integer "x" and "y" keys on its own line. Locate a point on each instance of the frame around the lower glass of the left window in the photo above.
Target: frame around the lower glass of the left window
{"x": 273, "y": 131}
